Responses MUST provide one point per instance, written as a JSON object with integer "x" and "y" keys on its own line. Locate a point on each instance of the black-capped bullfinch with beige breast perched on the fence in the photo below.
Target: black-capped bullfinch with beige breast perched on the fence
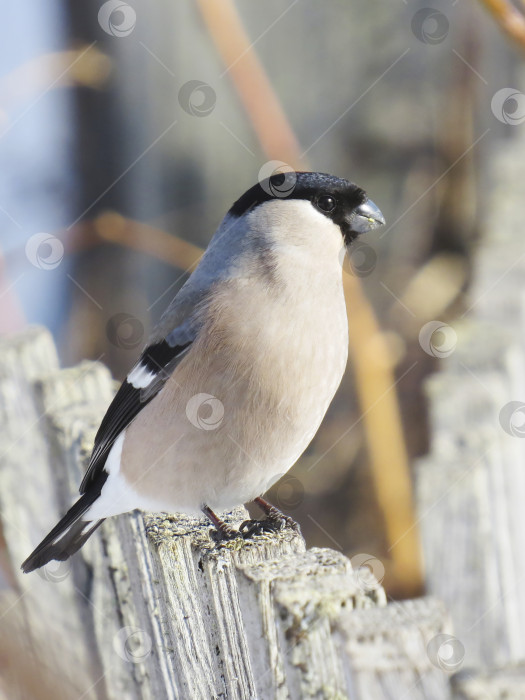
{"x": 238, "y": 373}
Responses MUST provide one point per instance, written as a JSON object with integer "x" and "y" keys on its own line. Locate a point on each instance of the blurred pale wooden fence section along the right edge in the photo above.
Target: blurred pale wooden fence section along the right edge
{"x": 471, "y": 487}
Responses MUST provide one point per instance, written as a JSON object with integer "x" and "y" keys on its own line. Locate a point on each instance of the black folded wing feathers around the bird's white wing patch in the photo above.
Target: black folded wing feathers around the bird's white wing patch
{"x": 128, "y": 402}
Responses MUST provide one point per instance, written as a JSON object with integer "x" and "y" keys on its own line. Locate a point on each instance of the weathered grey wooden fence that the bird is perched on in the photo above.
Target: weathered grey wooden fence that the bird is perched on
{"x": 153, "y": 608}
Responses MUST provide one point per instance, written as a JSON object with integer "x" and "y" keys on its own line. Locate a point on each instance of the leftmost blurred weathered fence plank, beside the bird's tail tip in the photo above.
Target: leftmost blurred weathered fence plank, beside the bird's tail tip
{"x": 52, "y": 614}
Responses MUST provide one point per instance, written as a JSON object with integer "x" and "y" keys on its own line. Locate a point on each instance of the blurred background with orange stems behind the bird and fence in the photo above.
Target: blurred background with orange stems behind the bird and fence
{"x": 127, "y": 131}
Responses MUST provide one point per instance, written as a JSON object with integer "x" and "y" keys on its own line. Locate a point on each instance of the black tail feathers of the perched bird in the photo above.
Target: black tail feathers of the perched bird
{"x": 68, "y": 535}
